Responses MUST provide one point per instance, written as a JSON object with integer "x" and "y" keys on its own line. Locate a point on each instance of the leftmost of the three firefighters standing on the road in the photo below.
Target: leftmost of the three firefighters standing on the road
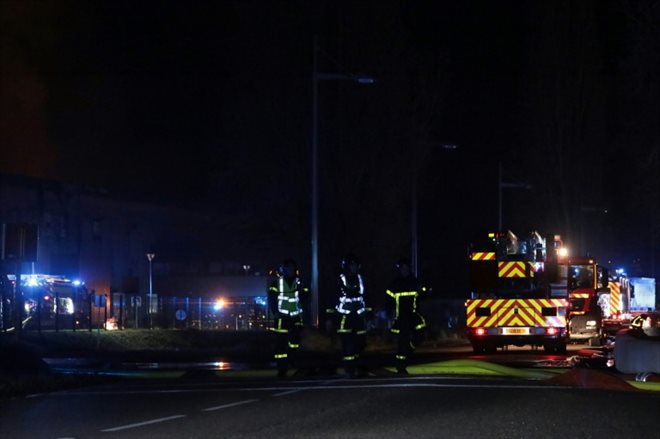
{"x": 286, "y": 298}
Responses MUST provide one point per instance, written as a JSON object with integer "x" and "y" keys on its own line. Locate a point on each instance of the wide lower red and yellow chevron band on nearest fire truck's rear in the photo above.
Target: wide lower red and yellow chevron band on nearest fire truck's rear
{"x": 492, "y": 313}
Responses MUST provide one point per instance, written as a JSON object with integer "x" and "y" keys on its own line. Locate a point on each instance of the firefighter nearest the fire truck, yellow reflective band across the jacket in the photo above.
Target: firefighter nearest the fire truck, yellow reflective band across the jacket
{"x": 408, "y": 323}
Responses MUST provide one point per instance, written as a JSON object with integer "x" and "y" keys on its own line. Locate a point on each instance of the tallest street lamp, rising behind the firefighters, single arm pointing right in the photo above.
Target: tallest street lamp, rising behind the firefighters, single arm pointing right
{"x": 316, "y": 77}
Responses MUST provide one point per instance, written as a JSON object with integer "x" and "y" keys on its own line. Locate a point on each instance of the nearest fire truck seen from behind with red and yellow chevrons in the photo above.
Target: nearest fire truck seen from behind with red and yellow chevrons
{"x": 518, "y": 296}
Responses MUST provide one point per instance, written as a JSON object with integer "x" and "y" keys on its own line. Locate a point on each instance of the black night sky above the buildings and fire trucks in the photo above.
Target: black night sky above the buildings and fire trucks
{"x": 208, "y": 105}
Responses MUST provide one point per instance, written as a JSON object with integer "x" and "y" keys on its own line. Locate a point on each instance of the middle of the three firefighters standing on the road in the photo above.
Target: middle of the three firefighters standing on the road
{"x": 350, "y": 312}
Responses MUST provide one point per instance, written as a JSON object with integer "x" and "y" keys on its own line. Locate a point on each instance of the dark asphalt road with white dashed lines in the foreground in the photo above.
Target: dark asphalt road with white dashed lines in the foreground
{"x": 414, "y": 406}
